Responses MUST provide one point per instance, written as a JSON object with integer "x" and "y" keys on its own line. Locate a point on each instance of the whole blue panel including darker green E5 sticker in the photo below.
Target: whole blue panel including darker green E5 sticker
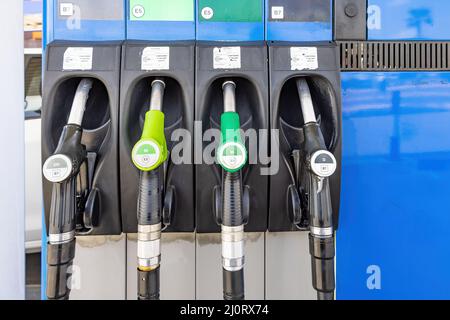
{"x": 230, "y": 20}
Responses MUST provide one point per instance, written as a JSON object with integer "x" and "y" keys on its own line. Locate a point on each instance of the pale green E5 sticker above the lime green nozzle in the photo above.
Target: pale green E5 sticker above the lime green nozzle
{"x": 162, "y": 10}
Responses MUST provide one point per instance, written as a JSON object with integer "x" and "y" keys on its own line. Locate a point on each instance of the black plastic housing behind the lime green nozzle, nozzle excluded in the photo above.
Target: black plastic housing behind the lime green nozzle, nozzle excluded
{"x": 178, "y": 107}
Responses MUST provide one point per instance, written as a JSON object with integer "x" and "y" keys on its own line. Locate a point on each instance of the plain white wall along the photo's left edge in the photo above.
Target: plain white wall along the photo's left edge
{"x": 12, "y": 212}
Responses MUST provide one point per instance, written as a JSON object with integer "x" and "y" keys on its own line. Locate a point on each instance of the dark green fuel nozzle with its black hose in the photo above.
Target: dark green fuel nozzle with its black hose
{"x": 232, "y": 156}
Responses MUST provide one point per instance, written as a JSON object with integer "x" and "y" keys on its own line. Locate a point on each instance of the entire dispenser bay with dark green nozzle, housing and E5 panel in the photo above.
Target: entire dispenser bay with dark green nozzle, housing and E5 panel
{"x": 231, "y": 95}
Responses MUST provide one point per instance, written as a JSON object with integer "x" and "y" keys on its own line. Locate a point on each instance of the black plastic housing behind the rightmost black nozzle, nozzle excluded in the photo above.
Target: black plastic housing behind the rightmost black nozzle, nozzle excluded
{"x": 286, "y": 115}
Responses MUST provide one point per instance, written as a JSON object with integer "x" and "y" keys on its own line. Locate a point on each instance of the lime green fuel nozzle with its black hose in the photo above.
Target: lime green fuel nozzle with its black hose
{"x": 149, "y": 155}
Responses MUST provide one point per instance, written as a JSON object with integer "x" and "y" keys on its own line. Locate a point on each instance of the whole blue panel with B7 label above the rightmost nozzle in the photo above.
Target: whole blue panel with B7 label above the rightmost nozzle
{"x": 294, "y": 20}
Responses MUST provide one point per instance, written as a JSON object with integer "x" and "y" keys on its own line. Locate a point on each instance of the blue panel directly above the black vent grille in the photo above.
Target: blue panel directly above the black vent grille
{"x": 408, "y": 20}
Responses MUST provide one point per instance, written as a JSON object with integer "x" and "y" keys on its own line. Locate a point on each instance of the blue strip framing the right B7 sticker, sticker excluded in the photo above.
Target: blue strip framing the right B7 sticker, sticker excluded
{"x": 282, "y": 30}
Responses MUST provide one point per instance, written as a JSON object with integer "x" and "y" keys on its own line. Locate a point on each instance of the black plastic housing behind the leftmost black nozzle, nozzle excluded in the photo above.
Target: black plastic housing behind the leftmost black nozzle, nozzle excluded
{"x": 100, "y": 122}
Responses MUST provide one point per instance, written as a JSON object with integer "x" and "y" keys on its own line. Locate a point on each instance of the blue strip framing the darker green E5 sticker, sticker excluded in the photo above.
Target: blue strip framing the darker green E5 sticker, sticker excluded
{"x": 229, "y": 31}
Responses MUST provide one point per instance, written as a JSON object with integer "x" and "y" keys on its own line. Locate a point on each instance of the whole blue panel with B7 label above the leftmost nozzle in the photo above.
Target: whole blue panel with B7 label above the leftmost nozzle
{"x": 86, "y": 20}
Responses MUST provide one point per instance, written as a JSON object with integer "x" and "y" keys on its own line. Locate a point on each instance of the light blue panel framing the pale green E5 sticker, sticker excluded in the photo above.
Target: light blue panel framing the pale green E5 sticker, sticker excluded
{"x": 159, "y": 30}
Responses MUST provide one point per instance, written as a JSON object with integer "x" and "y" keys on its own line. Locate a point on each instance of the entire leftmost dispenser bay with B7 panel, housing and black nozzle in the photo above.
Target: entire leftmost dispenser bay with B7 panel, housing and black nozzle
{"x": 80, "y": 130}
